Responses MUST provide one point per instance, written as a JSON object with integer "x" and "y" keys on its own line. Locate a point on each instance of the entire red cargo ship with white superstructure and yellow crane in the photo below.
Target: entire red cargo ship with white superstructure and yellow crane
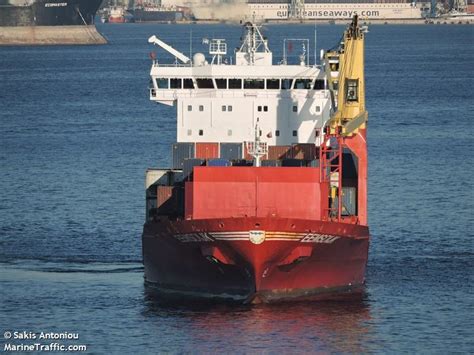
{"x": 266, "y": 197}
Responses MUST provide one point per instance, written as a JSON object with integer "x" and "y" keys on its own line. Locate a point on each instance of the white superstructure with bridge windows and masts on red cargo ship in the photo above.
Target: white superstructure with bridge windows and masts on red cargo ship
{"x": 222, "y": 99}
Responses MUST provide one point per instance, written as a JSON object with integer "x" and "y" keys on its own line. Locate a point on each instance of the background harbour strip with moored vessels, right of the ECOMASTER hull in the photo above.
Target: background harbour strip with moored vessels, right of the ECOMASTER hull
{"x": 290, "y": 11}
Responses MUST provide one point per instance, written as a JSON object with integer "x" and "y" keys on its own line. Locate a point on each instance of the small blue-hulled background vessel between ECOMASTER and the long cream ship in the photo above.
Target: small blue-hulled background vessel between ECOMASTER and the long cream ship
{"x": 152, "y": 11}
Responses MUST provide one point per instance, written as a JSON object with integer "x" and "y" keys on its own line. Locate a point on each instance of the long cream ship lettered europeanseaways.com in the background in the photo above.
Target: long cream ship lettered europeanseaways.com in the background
{"x": 308, "y": 10}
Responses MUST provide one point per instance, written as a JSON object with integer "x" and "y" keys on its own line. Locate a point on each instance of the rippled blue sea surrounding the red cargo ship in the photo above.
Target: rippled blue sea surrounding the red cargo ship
{"x": 77, "y": 132}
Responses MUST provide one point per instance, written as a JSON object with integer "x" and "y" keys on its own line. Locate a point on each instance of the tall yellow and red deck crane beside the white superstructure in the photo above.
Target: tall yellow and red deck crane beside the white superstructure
{"x": 346, "y": 128}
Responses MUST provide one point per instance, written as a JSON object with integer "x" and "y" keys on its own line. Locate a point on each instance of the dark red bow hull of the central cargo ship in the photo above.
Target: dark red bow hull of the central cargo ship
{"x": 215, "y": 257}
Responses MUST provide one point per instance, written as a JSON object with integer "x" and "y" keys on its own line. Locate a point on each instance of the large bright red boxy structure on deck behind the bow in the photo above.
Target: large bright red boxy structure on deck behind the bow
{"x": 222, "y": 192}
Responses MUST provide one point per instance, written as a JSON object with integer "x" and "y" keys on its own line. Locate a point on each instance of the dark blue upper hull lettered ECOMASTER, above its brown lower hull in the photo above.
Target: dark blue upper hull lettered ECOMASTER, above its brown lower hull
{"x": 48, "y": 12}
